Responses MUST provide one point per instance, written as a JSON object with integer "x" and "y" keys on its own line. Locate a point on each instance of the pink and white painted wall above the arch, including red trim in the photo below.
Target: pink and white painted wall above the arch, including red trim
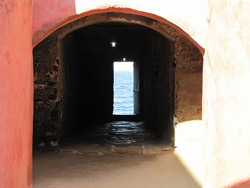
{"x": 63, "y": 12}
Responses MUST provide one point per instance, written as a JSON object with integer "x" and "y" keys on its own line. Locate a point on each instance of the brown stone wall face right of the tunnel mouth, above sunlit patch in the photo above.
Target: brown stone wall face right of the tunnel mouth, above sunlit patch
{"x": 188, "y": 80}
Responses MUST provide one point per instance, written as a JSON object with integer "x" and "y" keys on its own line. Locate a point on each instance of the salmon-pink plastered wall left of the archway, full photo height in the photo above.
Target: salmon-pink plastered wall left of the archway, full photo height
{"x": 16, "y": 93}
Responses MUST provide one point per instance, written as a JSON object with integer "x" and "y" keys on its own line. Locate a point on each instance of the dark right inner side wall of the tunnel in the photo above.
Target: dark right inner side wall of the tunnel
{"x": 158, "y": 73}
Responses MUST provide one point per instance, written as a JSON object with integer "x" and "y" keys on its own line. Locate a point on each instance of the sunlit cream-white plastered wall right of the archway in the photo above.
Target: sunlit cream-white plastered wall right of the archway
{"x": 226, "y": 91}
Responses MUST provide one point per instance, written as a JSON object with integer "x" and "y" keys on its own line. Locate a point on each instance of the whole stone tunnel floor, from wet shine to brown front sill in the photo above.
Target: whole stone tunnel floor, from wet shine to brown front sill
{"x": 116, "y": 136}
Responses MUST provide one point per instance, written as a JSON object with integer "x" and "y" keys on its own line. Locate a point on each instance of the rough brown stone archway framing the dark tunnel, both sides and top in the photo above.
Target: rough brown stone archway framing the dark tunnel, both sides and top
{"x": 48, "y": 58}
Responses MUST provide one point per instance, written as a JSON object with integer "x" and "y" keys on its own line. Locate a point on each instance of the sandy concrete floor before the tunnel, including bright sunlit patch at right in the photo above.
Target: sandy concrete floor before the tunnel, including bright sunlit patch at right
{"x": 180, "y": 168}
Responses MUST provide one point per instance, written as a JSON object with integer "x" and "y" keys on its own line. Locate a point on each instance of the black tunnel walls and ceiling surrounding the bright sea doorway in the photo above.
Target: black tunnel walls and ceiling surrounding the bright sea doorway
{"x": 87, "y": 79}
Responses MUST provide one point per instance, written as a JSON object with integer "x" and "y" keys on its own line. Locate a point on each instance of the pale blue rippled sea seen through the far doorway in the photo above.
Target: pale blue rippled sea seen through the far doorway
{"x": 123, "y": 93}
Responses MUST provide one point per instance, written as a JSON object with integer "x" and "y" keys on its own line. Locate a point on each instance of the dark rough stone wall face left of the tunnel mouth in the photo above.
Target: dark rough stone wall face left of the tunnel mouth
{"x": 46, "y": 103}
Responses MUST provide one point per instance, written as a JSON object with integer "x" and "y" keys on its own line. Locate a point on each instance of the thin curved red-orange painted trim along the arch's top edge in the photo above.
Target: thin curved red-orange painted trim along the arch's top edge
{"x": 123, "y": 10}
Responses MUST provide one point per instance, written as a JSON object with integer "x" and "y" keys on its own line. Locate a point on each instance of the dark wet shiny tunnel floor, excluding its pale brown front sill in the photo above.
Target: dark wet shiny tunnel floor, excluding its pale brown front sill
{"x": 116, "y": 133}
